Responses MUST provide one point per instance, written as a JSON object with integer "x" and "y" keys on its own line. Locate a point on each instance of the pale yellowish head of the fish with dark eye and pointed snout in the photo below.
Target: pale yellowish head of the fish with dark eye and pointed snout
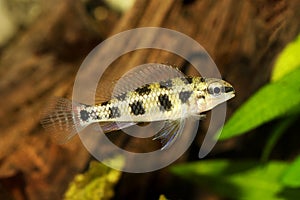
{"x": 216, "y": 91}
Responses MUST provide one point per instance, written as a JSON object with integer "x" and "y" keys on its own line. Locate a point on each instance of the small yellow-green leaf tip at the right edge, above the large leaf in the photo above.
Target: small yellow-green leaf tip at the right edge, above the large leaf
{"x": 287, "y": 61}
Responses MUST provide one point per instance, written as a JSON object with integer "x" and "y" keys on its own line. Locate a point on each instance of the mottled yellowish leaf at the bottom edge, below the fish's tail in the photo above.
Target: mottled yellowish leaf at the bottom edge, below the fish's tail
{"x": 96, "y": 183}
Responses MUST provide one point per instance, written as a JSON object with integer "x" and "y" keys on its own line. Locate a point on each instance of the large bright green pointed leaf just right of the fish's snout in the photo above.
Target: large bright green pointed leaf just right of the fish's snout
{"x": 274, "y": 100}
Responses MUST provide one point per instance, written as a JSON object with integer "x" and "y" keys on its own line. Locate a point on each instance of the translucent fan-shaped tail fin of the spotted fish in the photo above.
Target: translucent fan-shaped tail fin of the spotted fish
{"x": 61, "y": 119}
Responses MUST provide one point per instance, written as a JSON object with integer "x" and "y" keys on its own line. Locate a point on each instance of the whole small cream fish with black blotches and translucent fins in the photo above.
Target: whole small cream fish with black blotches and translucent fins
{"x": 151, "y": 92}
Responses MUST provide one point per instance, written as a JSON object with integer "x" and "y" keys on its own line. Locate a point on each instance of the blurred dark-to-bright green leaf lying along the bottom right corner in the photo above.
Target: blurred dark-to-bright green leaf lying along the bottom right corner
{"x": 239, "y": 179}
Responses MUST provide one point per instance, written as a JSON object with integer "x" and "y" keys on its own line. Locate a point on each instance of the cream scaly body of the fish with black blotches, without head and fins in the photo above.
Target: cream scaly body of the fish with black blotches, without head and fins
{"x": 148, "y": 103}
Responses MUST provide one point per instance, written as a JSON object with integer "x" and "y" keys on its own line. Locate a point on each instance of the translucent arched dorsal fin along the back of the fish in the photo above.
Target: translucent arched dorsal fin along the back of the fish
{"x": 145, "y": 74}
